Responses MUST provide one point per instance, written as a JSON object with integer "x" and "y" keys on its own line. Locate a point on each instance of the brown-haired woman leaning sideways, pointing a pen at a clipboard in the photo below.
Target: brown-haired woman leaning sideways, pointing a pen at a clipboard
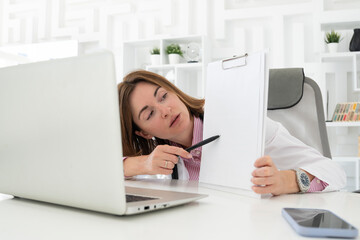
{"x": 158, "y": 121}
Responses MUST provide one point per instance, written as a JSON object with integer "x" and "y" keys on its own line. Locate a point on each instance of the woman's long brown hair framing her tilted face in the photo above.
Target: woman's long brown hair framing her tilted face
{"x": 134, "y": 145}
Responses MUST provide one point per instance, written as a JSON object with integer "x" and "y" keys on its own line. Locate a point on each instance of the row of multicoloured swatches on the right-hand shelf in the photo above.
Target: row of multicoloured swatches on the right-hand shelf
{"x": 347, "y": 112}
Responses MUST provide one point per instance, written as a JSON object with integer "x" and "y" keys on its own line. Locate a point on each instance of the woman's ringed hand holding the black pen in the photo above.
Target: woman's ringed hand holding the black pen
{"x": 161, "y": 161}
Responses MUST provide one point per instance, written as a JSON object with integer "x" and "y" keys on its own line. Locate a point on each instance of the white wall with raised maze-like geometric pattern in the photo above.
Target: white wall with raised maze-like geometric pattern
{"x": 287, "y": 27}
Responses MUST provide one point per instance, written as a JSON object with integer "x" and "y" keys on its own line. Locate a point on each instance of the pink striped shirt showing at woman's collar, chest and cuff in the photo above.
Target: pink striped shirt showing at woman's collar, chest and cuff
{"x": 193, "y": 164}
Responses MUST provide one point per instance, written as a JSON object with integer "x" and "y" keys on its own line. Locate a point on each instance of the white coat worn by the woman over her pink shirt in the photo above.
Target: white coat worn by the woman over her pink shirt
{"x": 288, "y": 152}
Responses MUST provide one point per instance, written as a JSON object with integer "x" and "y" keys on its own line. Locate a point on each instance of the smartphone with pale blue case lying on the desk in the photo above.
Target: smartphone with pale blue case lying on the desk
{"x": 318, "y": 223}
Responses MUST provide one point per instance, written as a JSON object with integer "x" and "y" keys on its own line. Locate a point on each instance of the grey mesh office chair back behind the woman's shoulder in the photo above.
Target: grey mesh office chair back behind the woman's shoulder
{"x": 295, "y": 101}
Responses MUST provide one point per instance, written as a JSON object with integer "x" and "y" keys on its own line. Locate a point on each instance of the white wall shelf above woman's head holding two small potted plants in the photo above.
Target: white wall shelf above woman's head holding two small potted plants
{"x": 189, "y": 77}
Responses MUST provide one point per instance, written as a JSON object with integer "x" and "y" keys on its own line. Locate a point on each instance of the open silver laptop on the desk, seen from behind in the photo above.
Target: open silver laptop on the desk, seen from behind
{"x": 60, "y": 138}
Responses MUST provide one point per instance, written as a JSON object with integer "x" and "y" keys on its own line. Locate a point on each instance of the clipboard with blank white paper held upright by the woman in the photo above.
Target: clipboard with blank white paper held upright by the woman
{"x": 235, "y": 109}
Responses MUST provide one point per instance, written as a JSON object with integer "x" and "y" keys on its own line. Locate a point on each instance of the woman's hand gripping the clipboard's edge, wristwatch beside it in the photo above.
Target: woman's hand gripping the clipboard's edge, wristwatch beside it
{"x": 268, "y": 179}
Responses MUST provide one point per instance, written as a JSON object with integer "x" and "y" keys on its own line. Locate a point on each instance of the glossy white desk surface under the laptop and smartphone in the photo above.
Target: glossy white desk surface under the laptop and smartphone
{"x": 222, "y": 215}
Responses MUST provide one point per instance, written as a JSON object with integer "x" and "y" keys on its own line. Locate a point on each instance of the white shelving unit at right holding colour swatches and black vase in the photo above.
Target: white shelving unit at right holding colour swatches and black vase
{"x": 341, "y": 85}
